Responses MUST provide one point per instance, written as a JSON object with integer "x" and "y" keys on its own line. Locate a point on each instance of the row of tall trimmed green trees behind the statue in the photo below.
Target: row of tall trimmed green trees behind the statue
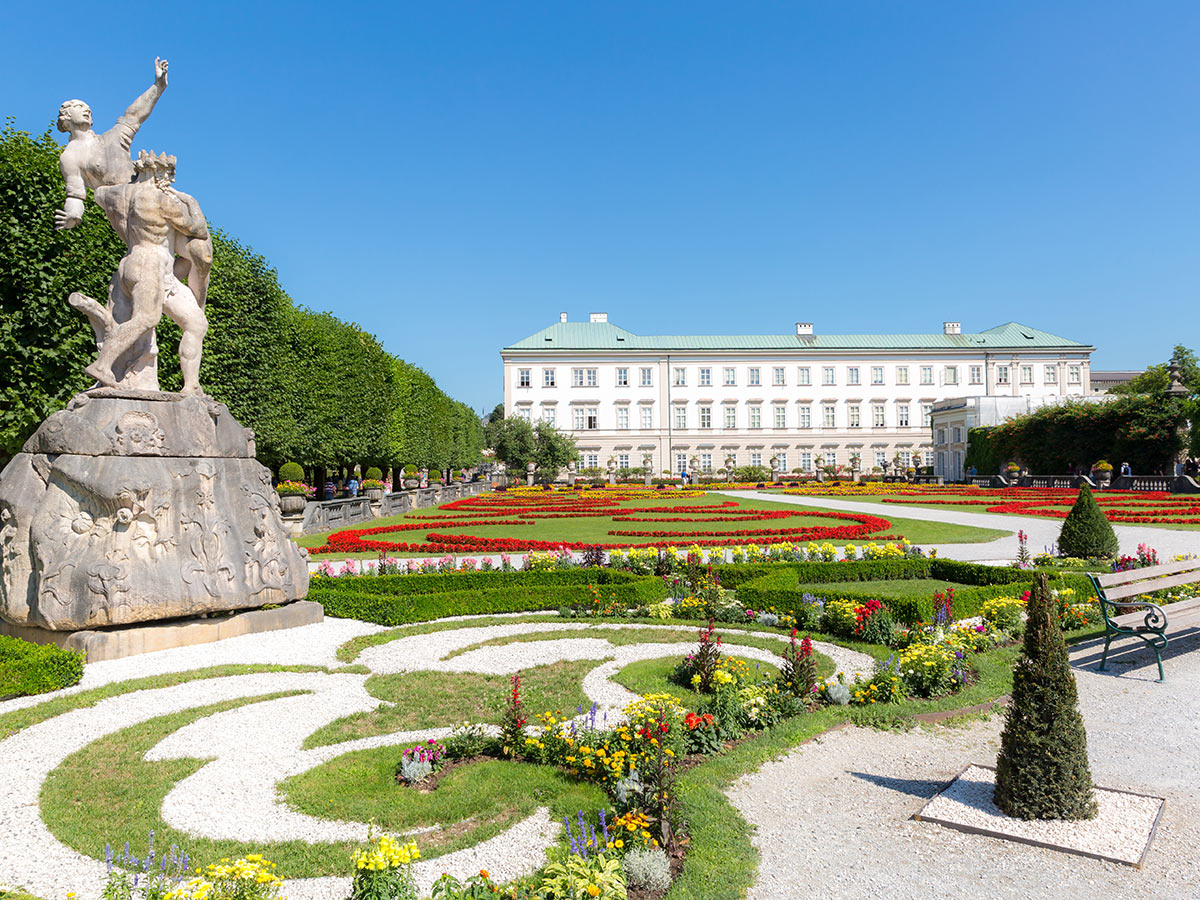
{"x": 315, "y": 389}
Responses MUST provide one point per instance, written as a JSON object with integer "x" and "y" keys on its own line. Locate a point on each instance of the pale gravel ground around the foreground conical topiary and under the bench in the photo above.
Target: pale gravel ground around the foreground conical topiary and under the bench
{"x": 847, "y": 800}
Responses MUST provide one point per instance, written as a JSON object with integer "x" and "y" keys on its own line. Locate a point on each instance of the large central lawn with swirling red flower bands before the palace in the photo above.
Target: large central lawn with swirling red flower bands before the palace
{"x": 683, "y": 519}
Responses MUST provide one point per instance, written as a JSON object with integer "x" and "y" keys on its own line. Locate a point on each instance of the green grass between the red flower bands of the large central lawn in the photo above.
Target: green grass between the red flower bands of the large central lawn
{"x": 596, "y": 530}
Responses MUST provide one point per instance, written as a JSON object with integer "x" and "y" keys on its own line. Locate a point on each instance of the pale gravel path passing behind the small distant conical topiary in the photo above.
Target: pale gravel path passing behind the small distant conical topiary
{"x": 1043, "y": 532}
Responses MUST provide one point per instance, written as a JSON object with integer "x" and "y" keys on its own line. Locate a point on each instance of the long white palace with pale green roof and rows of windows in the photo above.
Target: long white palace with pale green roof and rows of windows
{"x": 805, "y": 399}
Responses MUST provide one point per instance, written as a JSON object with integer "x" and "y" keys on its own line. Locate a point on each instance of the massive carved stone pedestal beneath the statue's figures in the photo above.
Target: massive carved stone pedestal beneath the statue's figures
{"x": 136, "y": 507}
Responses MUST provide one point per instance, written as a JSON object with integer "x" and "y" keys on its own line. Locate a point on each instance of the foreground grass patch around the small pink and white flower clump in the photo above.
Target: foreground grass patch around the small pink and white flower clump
{"x": 471, "y": 805}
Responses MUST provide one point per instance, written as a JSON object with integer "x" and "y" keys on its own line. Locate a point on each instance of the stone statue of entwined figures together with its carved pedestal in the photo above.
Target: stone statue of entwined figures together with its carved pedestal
{"x": 136, "y": 505}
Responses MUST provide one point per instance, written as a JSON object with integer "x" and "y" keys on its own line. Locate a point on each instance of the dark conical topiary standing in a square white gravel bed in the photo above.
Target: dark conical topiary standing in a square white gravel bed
{"x": 1042, "y": 771}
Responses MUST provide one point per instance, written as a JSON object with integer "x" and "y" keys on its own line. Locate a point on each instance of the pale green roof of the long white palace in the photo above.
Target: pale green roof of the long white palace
{"x": 607, "y": 337}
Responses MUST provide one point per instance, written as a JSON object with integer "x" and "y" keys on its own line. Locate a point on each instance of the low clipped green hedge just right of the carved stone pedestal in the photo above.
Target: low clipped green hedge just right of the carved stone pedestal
{"x": 406, "y": 599}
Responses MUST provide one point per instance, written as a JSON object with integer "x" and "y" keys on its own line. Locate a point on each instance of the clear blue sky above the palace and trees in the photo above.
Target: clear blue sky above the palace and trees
{"x": 453, "y": 176}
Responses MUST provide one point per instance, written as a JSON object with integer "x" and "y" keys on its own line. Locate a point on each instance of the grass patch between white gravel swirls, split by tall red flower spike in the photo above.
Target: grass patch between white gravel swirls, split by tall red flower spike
{"x": 429, "y": 700}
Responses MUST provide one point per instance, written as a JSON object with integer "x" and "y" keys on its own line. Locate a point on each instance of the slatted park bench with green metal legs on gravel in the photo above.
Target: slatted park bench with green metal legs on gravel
{"x": 1126, "y": 616}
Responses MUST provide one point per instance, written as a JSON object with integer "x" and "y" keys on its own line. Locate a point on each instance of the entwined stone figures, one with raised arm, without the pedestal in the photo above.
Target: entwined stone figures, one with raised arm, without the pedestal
{"x": 101, "y": 163}
